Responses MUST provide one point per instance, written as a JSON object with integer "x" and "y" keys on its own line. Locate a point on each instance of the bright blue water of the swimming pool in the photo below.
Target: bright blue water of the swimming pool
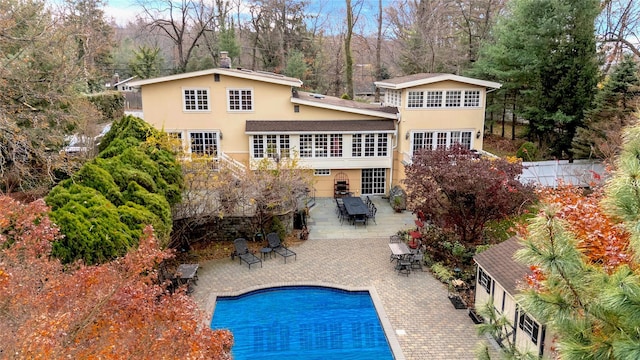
{"x": 302, "y": 322}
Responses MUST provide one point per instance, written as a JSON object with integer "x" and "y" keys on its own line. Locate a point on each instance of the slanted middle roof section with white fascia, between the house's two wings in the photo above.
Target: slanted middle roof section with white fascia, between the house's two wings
{"x": 335, "y": 103}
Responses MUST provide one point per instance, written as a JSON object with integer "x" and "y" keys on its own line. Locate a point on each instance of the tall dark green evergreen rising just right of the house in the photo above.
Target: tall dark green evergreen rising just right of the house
{"x": 545, "y": 55}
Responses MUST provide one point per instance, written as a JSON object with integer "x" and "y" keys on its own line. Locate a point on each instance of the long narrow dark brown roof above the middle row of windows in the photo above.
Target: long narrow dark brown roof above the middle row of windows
{"x": 264, "y": 126}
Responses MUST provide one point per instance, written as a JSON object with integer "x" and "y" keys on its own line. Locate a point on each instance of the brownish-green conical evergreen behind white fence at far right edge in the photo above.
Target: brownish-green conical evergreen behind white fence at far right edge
{"x": 614, "y": 105}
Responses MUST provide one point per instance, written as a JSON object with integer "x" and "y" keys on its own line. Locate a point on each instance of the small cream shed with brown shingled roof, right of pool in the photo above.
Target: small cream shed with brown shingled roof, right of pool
{"x": 498, "y": 277}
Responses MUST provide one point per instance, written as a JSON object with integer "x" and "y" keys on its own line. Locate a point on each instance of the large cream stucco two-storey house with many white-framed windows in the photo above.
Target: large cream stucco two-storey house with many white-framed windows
{"x": 242, "y": 115}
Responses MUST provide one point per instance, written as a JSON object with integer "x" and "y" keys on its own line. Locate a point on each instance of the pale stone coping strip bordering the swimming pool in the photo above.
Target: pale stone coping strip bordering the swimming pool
{"x": 392, "y": 340}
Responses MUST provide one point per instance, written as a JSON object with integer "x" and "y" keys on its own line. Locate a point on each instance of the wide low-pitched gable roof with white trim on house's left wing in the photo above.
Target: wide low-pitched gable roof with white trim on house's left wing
{"x": 239, "y": 73}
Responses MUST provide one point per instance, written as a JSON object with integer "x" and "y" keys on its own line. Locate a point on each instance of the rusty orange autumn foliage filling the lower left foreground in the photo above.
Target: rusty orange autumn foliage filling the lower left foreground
{"x": 114, "y": 310}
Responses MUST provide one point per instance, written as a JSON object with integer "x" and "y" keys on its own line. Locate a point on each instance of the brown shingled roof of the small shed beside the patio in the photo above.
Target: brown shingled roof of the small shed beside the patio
{"x": 498, "y": 262}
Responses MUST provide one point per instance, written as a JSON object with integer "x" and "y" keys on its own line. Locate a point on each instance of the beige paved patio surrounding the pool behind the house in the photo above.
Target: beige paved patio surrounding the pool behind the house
{"x": 426, "y": 325}
